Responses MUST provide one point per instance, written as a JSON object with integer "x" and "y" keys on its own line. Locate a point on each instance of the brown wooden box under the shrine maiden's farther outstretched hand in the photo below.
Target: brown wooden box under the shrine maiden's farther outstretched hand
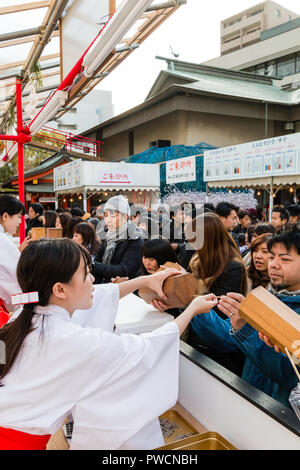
{"x": 180, "y": 290}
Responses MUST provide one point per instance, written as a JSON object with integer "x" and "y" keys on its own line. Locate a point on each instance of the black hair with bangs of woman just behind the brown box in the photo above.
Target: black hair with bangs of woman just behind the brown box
{"x": 159, "y": 249}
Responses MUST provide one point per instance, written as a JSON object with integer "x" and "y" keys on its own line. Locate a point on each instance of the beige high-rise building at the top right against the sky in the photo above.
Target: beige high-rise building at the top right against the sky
{"x": 246, "y": 27}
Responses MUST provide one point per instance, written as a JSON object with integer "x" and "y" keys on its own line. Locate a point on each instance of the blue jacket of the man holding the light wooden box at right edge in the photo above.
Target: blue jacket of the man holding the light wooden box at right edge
{"x": 267, "y": 370}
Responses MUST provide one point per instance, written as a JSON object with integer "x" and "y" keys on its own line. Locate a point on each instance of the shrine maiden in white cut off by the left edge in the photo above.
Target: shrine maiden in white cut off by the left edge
{"x": 11, "y": 211}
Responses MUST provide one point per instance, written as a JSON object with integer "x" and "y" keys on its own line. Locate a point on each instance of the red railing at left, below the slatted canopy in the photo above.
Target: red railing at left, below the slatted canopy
{"x": 72, "y": 142}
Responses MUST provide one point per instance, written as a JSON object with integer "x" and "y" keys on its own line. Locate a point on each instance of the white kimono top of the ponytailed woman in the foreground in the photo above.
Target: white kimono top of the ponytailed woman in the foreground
{"x": 114, "y": 386}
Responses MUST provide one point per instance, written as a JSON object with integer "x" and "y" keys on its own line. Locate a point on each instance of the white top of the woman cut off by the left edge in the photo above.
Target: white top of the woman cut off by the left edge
{"x": 9, "y": 257}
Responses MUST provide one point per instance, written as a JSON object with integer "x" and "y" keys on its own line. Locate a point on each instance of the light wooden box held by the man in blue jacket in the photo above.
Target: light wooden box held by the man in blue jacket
{"x": 266, "y": 313}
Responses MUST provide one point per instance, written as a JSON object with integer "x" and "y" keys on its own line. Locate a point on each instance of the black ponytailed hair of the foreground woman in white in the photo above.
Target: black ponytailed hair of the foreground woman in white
{"x": 42, "y": 264}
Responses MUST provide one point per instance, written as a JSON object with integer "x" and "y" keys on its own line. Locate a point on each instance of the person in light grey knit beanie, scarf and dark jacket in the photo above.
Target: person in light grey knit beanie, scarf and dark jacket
{"x": 120, "y": 253}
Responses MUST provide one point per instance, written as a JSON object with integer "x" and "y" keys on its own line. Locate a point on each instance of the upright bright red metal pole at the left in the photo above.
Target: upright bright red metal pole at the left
{"x": 20, "y": 153}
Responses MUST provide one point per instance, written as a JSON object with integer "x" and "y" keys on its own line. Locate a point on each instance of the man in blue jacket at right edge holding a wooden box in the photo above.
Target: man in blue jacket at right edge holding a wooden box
{"x": 264, "y": 368}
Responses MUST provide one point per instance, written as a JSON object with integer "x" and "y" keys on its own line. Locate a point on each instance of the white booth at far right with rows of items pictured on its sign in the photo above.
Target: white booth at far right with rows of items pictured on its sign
{"x": 269, "y": 164}
